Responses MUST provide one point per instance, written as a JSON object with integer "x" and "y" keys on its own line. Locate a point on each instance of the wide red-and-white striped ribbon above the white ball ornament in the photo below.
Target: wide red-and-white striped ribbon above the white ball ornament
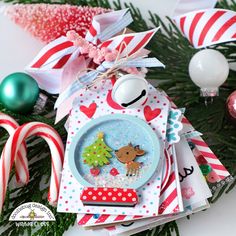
{"x": 208, "y": 27}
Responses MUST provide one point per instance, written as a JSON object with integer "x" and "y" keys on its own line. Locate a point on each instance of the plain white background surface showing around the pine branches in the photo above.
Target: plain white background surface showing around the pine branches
{"x": 17, "y": 49}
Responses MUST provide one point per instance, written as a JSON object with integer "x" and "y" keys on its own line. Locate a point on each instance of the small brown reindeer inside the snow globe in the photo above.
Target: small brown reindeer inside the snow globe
{"x": 127, "y": 155}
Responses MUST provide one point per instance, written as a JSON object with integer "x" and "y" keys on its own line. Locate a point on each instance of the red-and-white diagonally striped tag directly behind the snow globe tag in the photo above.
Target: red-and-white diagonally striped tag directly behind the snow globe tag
{"x": 170, "y": 197}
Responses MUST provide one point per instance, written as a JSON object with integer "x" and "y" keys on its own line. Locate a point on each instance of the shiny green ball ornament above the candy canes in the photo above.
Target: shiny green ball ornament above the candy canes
{"x": 19, "y": 92}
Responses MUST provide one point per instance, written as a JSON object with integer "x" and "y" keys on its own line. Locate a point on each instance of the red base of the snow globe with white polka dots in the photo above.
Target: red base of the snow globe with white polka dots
{"x": 109, "y": 196}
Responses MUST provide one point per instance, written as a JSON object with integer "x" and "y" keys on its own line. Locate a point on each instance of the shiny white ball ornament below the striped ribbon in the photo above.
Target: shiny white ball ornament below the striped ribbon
{"x": 209, "y": 69}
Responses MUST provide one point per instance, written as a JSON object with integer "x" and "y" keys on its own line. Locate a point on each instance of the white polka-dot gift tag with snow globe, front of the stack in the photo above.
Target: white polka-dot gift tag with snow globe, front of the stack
{"x": 98, "y": 102}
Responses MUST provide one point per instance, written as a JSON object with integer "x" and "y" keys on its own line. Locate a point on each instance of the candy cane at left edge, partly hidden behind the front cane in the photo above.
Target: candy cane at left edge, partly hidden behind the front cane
{"x": 21, "y": 163}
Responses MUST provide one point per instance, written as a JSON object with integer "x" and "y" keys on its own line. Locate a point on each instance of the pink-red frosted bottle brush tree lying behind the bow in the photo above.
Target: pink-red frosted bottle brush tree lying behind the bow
{"x": 49, "y": 21}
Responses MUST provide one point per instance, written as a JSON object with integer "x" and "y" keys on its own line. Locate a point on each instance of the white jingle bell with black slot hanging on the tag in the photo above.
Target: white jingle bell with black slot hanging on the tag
{"x": 130, "y": 91}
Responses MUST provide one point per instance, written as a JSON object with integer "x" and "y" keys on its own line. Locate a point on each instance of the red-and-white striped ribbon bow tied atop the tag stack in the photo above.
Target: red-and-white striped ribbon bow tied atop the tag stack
{"x": 62, "y": 59}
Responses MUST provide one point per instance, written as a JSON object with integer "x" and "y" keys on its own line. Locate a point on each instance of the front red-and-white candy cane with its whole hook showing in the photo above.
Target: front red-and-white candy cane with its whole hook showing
{"x": 12, "y": 146}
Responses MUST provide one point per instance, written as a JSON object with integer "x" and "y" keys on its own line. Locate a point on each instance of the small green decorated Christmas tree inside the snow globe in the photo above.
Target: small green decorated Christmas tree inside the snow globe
{"x": 97, "y": 154}
